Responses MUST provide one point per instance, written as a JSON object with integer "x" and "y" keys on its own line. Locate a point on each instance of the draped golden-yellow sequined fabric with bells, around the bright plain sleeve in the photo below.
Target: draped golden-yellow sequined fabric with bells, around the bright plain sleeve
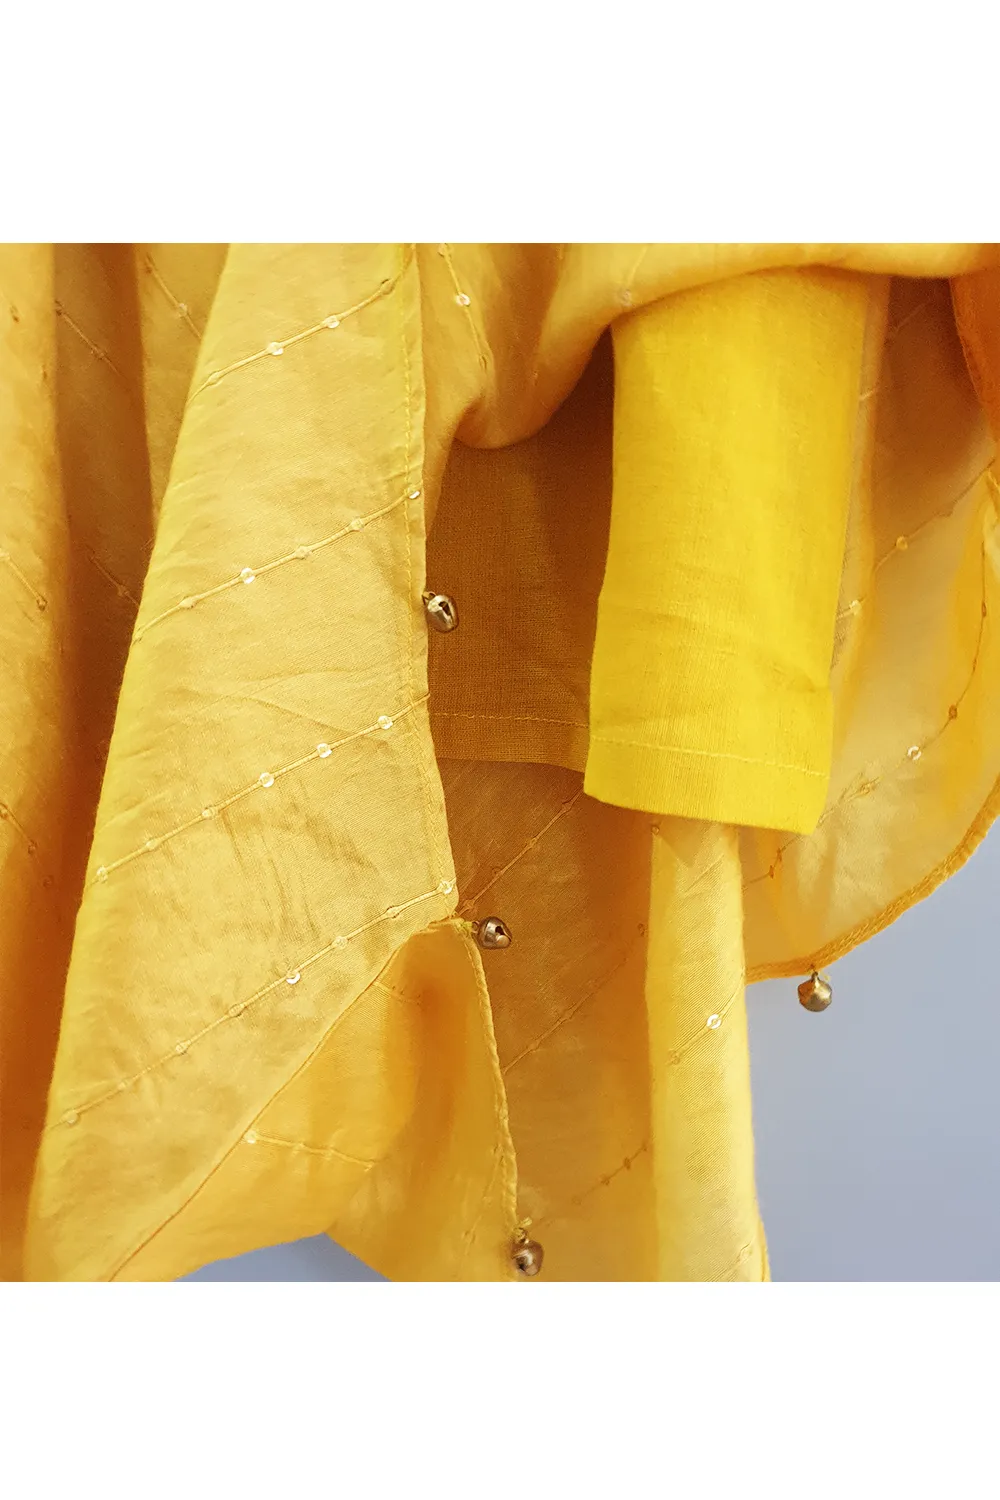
{"x": 242, "y": 1001}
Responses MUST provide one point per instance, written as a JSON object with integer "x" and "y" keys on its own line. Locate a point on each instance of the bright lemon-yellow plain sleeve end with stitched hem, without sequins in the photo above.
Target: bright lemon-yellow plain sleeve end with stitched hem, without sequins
{"x": 735, "y": 413}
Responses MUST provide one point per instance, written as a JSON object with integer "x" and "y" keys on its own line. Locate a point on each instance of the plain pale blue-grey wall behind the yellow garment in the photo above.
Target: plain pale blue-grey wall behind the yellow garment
{"x": 878, "y": 1123}
